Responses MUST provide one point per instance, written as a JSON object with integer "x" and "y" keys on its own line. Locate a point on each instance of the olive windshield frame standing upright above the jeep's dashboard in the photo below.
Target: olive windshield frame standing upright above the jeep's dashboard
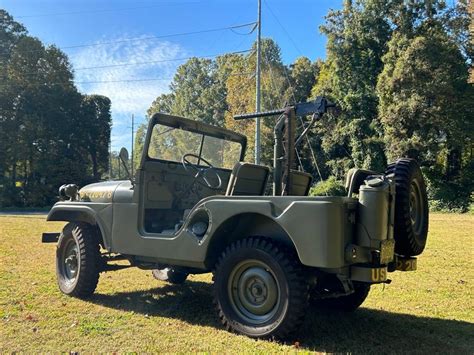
{"x": 188, "y": 125}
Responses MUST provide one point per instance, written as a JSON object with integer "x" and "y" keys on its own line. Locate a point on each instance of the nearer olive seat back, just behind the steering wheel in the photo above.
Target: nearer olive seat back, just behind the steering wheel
{"x": 247, "y": 180}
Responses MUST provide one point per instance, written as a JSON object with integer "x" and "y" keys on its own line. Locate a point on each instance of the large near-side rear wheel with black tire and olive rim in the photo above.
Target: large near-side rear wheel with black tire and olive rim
{"x": 275, "y": 297}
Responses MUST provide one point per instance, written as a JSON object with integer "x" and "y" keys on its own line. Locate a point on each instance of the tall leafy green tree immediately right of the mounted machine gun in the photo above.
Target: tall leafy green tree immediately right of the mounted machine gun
{"x": 357, "y": 37}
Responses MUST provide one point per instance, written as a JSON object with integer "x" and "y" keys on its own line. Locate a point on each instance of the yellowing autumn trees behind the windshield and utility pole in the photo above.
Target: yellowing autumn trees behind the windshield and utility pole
{"x": 213, "y": 91}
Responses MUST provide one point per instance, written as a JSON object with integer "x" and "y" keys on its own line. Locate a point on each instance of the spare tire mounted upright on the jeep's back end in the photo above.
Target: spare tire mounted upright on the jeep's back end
{"x": 411, "y": 207}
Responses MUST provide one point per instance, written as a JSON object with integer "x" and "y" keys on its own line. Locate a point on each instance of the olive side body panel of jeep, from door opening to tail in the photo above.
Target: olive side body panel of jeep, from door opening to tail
{"x": 320, "y": 241}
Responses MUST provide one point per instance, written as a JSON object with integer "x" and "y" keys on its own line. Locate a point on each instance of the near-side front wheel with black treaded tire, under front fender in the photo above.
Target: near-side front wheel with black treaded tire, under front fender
{"x": 78, "y": 260}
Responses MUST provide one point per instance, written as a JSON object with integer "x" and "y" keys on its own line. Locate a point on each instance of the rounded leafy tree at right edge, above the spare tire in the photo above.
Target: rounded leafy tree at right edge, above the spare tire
{"x": 426, "y": 104}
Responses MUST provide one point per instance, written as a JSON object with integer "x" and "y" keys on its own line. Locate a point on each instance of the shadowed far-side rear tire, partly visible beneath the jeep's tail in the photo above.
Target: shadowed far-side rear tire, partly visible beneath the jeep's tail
{"x": 347, "y": 303}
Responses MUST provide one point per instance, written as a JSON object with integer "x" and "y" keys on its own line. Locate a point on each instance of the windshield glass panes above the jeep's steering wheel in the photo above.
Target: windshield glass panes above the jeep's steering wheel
{"x": 168, "y": 143}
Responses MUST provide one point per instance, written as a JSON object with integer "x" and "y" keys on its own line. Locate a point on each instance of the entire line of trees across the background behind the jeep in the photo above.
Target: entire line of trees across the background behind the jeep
{"x": 397, "y": 70}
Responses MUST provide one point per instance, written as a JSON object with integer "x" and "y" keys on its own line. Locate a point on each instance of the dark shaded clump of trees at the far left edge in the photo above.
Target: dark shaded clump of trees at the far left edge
{"x": 50, "y": 133}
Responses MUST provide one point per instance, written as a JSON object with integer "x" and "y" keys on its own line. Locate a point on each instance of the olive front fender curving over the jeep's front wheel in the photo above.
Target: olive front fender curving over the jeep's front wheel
{"x": 99, "y": 214}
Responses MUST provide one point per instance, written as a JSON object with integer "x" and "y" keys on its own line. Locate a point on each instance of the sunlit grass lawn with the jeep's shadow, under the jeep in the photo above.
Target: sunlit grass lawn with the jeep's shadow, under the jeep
{"x": 429, "y": 311}
